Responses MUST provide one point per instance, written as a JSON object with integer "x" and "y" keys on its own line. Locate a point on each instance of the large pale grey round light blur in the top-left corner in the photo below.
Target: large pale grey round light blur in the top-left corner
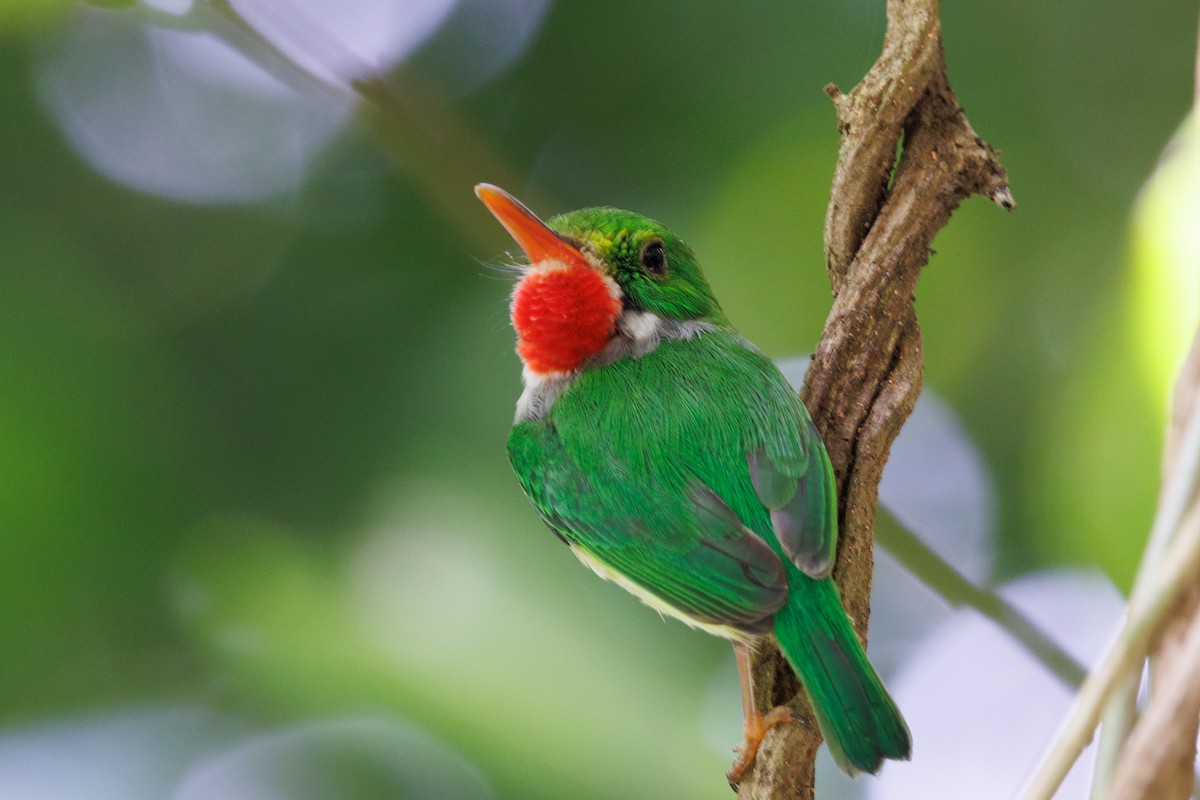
{"x": 181, "y": 115}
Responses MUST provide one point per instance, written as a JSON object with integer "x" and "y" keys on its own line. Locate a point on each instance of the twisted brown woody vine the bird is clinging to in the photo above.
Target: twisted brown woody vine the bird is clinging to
{"x": 867, "y": 371}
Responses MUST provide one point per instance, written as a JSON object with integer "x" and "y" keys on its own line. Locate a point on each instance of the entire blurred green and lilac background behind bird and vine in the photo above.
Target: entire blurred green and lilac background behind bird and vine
{"x": 259, "y": 537}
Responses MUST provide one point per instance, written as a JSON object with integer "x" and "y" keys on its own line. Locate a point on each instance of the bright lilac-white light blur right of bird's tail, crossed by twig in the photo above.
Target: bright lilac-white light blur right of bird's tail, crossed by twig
{"x": 982, "y": 709}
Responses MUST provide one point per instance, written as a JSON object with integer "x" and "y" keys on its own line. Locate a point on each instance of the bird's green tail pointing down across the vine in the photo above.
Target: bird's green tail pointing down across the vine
{"x": 857, "y": 717}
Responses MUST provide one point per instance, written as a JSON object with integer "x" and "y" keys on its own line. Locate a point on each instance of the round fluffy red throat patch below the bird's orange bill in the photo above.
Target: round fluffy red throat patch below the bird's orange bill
{"x": 563, "y": 317}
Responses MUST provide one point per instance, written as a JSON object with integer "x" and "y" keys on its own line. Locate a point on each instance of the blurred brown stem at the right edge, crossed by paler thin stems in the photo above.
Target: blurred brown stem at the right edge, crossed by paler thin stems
{"x": 1159, "y": 760}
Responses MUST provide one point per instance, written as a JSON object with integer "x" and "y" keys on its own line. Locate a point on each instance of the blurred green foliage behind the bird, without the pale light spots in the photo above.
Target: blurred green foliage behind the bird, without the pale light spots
{"x": 254, "y": 453}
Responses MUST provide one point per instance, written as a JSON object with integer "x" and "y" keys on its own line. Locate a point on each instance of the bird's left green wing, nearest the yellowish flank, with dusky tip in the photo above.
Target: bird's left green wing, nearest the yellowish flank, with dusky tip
{"x": 687, "y": 549}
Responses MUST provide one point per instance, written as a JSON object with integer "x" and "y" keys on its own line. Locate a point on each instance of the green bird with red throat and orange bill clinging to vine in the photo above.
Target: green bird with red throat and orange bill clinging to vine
{"x": 676, "y": 461}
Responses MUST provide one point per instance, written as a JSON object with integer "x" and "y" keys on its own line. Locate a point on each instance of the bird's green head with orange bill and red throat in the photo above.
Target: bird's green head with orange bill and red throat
{"x": 593, "y": 276}
